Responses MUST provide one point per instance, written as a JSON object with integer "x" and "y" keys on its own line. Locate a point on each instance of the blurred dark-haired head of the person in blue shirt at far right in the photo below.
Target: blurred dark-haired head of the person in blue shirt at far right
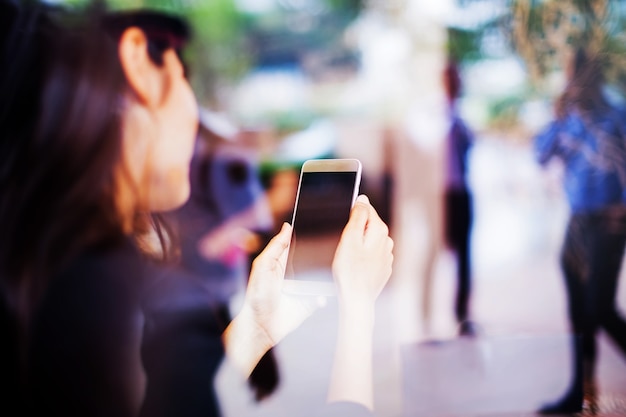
{"x": 584, "y": 86}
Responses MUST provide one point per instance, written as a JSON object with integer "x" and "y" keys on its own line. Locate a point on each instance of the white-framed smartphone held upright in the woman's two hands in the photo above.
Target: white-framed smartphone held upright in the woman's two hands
{"x": 327, "y": 190}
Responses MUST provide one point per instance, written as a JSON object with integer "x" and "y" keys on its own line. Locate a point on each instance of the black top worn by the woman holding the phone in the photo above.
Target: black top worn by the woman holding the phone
{"x": 116, "y": 337}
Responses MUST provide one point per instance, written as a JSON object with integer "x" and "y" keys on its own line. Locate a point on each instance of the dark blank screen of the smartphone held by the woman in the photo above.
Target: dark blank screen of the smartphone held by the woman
{"x": 322, "y": 211}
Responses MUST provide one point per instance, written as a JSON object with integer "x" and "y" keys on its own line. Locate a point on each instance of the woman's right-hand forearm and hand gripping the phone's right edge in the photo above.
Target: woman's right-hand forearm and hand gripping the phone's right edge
{"x": 362, "y": 267}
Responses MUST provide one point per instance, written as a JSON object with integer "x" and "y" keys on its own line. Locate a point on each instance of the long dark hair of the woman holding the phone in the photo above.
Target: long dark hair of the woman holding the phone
{"x": 62, "y": 89}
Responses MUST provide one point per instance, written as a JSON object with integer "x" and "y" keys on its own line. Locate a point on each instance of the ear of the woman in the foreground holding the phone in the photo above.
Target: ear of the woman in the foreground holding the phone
{"x": 145, "y": 78}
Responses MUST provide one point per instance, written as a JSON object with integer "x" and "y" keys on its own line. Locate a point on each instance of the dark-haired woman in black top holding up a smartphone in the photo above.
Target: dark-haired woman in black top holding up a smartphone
{"x": 98, "y": 124}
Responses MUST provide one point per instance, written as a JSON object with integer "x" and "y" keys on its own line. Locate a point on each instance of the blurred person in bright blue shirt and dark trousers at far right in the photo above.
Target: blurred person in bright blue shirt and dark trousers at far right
{"x": 589, "y": 137}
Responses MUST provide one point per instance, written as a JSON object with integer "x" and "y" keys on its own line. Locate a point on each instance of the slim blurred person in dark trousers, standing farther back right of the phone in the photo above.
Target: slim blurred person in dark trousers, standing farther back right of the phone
{"x": 458, "y": 198}
